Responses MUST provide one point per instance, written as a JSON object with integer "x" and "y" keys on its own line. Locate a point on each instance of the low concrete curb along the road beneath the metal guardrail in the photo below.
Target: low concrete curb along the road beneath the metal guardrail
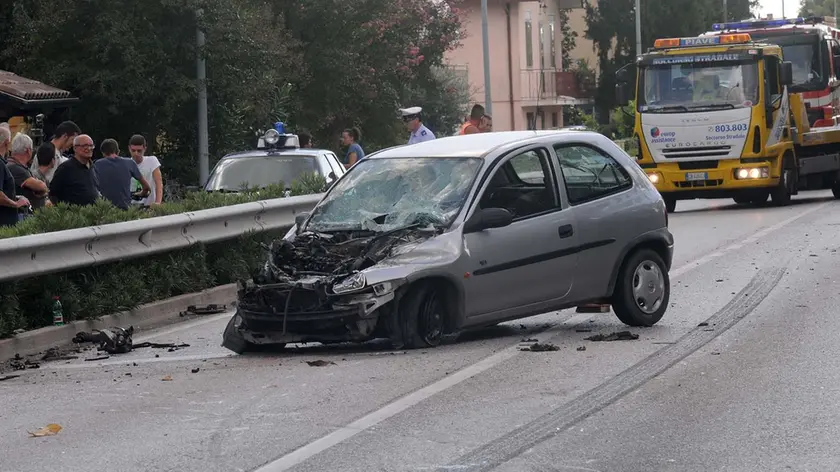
{"x": 149, "y": 316}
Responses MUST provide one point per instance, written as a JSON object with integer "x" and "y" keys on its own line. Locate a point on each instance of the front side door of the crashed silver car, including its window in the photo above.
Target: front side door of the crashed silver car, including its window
{"x": 531, "y": 261}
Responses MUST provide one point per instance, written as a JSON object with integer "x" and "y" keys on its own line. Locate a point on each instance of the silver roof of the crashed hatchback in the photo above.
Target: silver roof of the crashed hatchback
{"x": 473, "y": 145}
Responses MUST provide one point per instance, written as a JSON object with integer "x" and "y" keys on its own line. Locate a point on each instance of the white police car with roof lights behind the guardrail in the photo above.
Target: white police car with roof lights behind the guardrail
{"x": 278, "y": 159}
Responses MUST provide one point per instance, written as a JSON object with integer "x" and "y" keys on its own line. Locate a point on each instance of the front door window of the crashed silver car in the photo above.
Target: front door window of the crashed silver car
{"x": 523, "y": 185}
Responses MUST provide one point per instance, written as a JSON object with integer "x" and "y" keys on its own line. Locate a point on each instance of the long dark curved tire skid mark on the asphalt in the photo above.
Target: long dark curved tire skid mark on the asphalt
{"x": 543, "y": 428}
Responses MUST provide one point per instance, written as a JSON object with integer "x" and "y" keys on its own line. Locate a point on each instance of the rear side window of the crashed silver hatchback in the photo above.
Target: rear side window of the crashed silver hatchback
{"x": 589, "y": 173}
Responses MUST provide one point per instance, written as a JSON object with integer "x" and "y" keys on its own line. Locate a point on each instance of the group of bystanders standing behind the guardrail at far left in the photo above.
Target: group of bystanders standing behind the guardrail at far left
{"x": 37, "y": 178}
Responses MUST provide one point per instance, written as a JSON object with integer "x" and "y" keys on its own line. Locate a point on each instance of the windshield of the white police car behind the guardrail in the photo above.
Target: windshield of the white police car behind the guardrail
{"x": 234, "y": 174}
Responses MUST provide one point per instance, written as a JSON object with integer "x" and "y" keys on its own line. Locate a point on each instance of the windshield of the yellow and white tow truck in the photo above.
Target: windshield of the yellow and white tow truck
{"x": 681, "y": 85}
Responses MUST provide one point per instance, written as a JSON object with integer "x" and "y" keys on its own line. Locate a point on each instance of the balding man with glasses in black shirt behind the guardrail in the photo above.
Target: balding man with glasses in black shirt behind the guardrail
{"x": 74, "y": 181}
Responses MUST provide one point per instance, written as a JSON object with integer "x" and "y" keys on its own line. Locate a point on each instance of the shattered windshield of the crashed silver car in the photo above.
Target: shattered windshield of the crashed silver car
{"x": 386, "y": 194}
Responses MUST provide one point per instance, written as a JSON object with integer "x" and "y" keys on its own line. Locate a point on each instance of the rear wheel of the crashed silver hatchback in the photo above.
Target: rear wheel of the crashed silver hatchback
{"x": 626, "y": 304}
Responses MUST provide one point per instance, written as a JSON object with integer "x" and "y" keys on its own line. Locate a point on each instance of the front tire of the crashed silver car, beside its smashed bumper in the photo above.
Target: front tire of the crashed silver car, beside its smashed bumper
{"x": 420, "y": 317}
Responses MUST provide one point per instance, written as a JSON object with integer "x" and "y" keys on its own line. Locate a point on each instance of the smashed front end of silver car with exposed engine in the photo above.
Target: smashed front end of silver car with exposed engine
{"x": 313, "y": 288}
